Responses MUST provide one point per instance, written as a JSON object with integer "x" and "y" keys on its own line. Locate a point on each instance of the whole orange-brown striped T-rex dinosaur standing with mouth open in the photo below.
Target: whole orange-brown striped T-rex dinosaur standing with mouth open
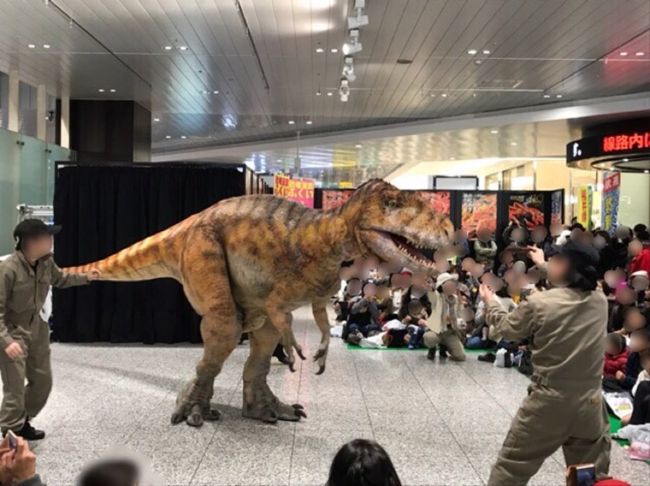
{"x": 247, "y": 262}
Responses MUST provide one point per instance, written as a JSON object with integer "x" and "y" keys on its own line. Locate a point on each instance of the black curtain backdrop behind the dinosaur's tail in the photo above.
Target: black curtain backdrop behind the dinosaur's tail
{"x": 106, "y": 208}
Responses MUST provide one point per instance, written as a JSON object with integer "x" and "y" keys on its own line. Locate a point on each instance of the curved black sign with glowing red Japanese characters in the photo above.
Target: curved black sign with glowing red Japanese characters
{"x": 609, "y": 145}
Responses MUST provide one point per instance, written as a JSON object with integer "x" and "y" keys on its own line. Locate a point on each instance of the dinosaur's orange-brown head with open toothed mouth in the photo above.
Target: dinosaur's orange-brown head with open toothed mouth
{"x": 397, "y": 225}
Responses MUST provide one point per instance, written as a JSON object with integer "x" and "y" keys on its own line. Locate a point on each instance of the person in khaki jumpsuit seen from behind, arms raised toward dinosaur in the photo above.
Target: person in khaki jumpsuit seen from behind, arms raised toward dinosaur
{"x": 564, "y": 407}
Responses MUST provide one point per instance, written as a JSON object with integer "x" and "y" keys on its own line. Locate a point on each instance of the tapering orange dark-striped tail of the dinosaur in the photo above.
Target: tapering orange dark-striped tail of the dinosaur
{"x": 154, "y": 257}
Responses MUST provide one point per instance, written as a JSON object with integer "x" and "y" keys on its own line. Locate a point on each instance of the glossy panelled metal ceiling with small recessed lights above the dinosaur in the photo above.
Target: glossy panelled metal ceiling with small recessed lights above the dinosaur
{"x": 569, "y": 48}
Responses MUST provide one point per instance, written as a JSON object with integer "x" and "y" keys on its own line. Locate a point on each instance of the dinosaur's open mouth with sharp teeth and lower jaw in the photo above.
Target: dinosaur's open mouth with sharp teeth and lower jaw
{"x": 393, "y": 247}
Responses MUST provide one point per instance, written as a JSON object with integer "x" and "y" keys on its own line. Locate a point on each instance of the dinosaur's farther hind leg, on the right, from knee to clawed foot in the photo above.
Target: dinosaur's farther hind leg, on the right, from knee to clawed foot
{"x": 259, "y": 401}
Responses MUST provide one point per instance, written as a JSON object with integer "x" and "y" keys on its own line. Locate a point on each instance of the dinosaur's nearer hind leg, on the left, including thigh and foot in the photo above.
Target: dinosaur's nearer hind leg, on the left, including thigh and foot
{"x": 206, "y": 284}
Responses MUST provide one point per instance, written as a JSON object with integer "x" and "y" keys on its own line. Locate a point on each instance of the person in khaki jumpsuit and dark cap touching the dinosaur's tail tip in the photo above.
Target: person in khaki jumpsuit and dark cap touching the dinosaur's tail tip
{"x": 25, "y": 279}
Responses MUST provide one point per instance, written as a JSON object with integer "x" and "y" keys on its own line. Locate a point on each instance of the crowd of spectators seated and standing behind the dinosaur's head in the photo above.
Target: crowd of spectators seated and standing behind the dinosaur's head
{"x": 381, "y": 305}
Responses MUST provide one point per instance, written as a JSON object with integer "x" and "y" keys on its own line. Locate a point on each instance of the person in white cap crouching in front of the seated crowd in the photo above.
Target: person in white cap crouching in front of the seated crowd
{"x": 442, "y": 324}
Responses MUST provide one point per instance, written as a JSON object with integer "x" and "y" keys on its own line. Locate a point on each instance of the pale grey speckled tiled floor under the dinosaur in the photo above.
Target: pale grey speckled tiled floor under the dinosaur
{"x": 442, "y": 423}
